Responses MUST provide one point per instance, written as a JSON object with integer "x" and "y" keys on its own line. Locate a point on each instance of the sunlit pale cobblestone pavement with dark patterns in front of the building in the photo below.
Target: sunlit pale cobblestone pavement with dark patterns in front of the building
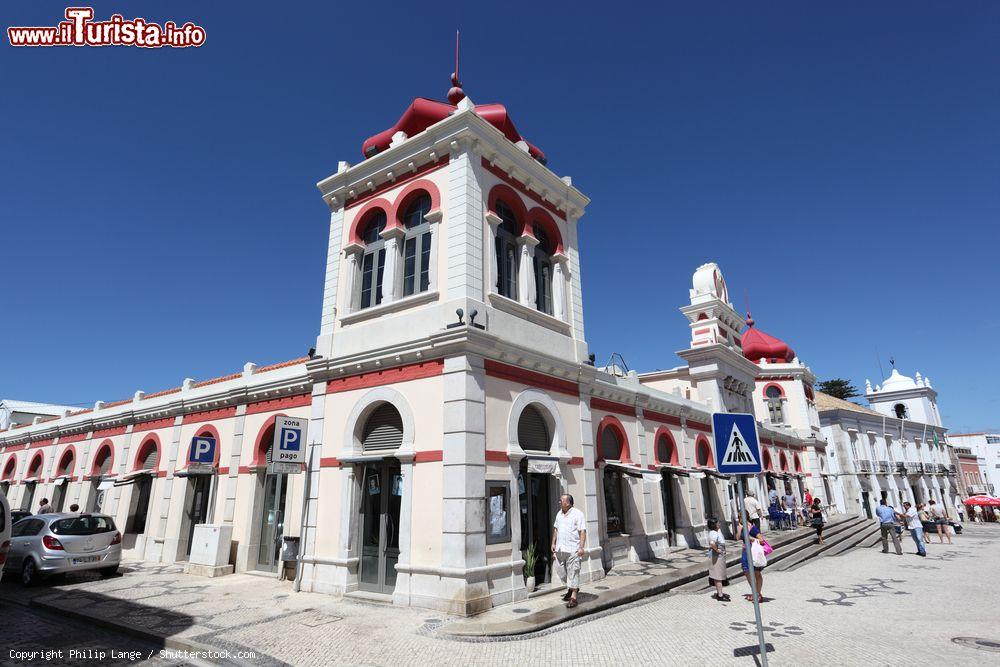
{"x": 863, "y": 607}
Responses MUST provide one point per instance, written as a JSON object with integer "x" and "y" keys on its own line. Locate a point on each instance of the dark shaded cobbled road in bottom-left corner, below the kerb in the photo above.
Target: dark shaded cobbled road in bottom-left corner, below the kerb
{"x": 24, "y": 631}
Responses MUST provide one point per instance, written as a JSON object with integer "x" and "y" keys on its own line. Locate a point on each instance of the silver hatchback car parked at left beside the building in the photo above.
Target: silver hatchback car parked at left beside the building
{"x": 47, "y": 544}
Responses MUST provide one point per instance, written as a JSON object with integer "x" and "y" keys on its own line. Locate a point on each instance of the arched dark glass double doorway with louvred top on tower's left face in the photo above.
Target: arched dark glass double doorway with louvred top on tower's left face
{"x": 381, "y": 500}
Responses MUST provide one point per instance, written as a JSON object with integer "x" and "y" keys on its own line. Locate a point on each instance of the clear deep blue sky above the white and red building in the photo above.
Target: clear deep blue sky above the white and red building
{"x": 841, "y": 162}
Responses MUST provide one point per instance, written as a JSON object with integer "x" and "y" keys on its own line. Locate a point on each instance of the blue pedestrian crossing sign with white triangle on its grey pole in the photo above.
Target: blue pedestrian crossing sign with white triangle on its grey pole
{"x": 737, "y": 451}
